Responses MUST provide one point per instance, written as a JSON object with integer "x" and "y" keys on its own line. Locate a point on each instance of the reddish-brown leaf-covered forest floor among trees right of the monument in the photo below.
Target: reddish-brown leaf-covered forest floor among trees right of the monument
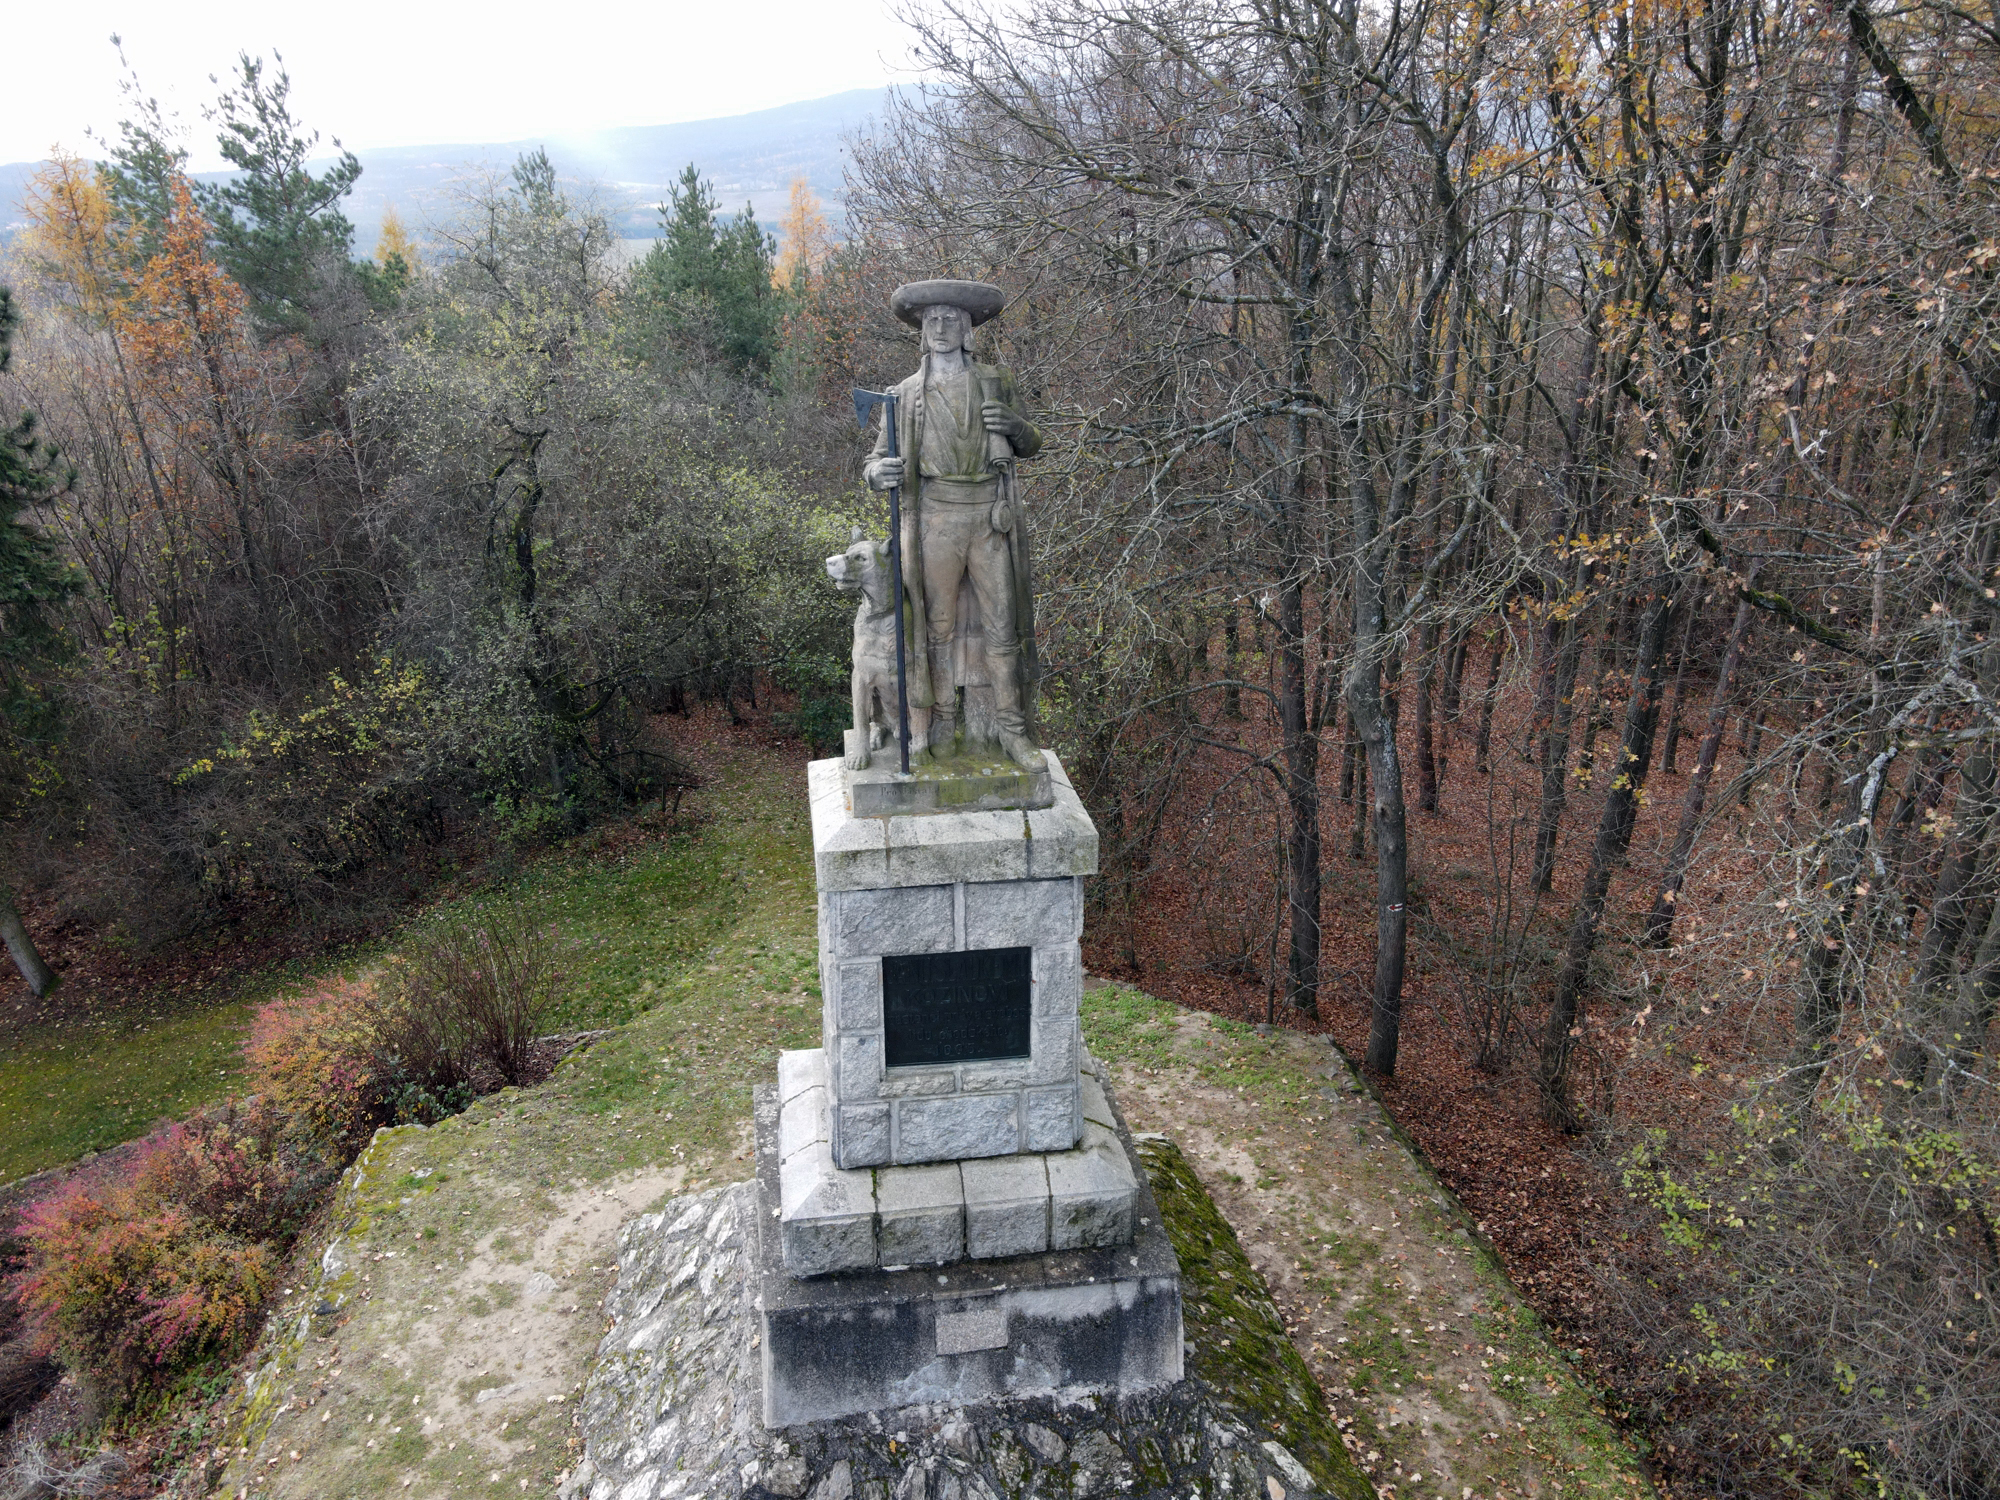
{"x": 1549, "y": 1203}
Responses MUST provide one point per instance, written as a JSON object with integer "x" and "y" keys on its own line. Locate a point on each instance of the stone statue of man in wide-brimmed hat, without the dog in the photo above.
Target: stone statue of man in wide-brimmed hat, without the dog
{"x": 965, "y": 541}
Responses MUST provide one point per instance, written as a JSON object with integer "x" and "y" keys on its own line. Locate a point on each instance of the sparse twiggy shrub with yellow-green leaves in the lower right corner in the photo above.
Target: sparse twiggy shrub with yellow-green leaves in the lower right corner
{"x": 1821, "y": 1297}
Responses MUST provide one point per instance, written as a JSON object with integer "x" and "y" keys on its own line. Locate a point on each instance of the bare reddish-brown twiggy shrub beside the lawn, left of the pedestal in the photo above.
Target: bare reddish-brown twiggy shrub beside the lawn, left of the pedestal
{"x": 493, "y": 979}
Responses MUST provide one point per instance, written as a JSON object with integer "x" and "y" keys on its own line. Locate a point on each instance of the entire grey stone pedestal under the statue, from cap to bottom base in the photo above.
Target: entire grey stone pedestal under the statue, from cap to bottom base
{"x": 949, "y": 1207}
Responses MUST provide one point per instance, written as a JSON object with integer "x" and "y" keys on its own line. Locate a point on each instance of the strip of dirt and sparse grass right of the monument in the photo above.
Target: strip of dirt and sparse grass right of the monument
{"x": 1441, "y": 1377}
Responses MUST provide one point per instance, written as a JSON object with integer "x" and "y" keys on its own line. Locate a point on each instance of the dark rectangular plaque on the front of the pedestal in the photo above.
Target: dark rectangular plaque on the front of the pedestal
{"x": 957, "y": 1007}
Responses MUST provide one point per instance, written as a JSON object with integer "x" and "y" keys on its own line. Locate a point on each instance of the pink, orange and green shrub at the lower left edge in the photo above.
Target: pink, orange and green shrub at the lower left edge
{"x": 141, "y": 1275}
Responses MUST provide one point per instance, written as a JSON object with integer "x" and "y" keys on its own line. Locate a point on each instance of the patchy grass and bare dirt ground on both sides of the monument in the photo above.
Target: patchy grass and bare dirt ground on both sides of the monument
{"x": 471, "y": 1259}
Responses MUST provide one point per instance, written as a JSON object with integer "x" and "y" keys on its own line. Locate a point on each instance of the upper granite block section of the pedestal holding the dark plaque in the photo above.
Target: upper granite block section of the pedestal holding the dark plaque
{"x": 951, "y": 975}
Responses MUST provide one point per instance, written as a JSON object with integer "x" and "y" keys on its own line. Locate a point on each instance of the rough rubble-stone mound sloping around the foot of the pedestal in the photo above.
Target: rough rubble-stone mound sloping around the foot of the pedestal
{"x": 673, "y": 1407}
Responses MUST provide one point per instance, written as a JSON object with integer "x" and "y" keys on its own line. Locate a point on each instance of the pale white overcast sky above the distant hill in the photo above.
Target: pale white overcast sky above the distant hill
{"x": 409, "y": 73}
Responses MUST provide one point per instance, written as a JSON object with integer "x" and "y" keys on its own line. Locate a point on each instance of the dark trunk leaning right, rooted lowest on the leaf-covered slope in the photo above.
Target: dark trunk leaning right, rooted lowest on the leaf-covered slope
{"x": 1615, "y": 835}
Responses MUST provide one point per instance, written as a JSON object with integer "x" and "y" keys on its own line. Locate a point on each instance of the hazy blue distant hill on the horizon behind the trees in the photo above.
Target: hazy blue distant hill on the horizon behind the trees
{"x": 749, "y": 157}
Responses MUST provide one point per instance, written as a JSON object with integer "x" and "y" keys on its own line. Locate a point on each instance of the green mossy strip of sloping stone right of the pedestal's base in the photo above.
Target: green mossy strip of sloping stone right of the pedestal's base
{"x": 1239, "y": 1341}
